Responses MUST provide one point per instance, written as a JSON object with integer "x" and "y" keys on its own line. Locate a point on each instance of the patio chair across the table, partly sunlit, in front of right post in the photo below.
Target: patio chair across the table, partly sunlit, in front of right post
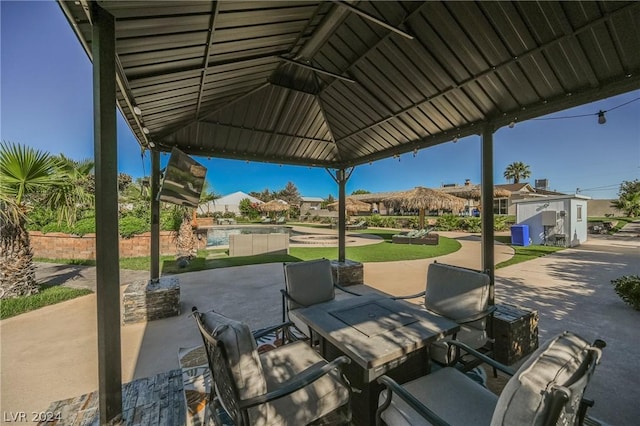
{"x": 462, "y": 295}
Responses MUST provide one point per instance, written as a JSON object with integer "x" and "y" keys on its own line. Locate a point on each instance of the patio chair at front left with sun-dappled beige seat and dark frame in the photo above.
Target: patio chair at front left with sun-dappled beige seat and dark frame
{"x": 289, "y": 385}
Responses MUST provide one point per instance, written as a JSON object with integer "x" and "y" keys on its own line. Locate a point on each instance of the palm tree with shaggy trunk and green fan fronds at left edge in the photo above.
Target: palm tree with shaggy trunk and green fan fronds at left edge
{"x": 24, "y": 171}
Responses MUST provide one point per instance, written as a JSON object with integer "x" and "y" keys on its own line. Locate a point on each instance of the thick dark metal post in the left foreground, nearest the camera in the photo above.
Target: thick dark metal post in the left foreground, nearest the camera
{"x": 107, "y": 236}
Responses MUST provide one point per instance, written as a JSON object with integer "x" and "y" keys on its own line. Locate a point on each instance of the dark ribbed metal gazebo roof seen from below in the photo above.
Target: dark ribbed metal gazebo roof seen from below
{"x": 336, "y": 84}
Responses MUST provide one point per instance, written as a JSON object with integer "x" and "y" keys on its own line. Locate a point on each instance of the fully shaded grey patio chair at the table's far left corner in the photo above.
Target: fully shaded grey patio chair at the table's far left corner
{"x": 308, "y": 283}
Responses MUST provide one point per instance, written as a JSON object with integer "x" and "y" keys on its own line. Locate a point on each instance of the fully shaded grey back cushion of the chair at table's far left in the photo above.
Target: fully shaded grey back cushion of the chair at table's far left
{"x": 309, "y": 282}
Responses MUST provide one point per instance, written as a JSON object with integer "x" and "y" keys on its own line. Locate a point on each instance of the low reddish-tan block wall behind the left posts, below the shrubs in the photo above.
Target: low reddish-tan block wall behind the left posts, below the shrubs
{"x": 56, "y": 245}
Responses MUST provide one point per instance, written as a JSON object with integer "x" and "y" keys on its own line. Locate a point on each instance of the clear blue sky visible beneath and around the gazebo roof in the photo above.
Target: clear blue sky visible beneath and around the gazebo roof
{"x": 46, "y": 103}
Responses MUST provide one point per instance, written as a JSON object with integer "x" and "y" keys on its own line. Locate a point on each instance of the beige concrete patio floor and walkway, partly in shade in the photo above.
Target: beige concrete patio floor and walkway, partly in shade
{"x": 50, "y": 354}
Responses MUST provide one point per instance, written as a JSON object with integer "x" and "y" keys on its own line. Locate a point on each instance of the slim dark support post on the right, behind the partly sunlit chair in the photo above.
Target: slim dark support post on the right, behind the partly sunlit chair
{"x": 488, "y": 260}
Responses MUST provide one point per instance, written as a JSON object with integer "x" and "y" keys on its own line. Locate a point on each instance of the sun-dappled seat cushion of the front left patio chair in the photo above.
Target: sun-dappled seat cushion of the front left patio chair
{"x": 305, "y": 405}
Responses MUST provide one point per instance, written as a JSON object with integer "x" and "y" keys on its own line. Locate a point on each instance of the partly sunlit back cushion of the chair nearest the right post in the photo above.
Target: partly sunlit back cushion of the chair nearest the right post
{"x": 455, "y": 292}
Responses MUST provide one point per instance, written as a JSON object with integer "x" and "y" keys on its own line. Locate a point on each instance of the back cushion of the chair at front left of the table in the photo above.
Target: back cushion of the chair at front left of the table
{"x": 240, "y": 347}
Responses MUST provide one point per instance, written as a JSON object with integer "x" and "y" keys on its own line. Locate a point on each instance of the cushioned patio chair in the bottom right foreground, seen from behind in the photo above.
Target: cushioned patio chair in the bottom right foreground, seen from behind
{"x": 547, "y": 389}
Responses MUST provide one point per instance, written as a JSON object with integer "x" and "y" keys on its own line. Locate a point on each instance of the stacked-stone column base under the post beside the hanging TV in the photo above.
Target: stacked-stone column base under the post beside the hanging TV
{"x": 147, "y": 300}
